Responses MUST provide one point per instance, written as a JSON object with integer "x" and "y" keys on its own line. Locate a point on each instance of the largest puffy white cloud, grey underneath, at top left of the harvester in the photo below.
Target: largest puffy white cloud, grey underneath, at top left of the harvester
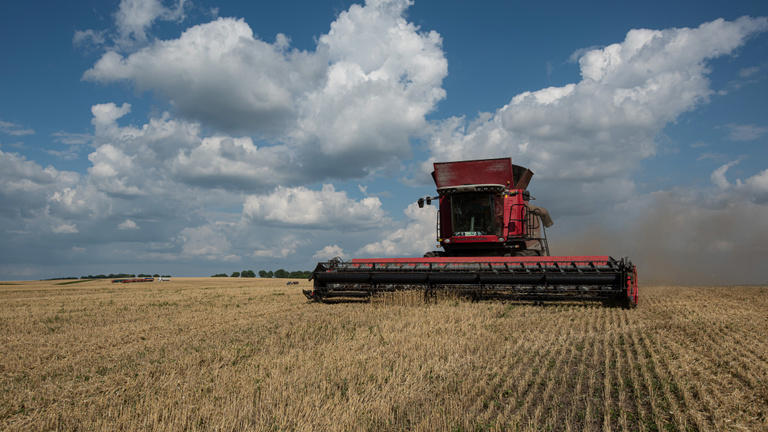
{"x": 345, "y": 109}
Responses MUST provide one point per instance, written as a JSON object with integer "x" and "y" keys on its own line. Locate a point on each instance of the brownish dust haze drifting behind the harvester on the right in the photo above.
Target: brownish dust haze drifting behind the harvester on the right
{"x": 684, "y": 240}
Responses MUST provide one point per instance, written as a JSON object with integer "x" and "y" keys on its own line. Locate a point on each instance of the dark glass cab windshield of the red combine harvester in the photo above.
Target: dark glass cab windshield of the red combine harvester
{"x": 473, "y": 214}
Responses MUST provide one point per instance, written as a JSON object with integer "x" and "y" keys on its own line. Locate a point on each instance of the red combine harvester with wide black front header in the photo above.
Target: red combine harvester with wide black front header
{"x": 494, "y": 246}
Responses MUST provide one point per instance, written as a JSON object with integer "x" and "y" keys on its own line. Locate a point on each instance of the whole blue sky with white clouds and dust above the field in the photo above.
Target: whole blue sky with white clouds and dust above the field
{"x": 200, "y": 137}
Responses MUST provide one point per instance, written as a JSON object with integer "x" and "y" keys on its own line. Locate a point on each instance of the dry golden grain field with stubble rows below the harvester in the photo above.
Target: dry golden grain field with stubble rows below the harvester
{"x": 240, "y": 354}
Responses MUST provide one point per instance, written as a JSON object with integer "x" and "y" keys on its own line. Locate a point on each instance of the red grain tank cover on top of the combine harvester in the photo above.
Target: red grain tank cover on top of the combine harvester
{"x": 484, "y": 171}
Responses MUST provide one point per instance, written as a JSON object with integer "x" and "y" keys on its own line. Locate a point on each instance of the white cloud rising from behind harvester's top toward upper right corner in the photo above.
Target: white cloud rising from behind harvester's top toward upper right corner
{"x": 596, "y": 131}
